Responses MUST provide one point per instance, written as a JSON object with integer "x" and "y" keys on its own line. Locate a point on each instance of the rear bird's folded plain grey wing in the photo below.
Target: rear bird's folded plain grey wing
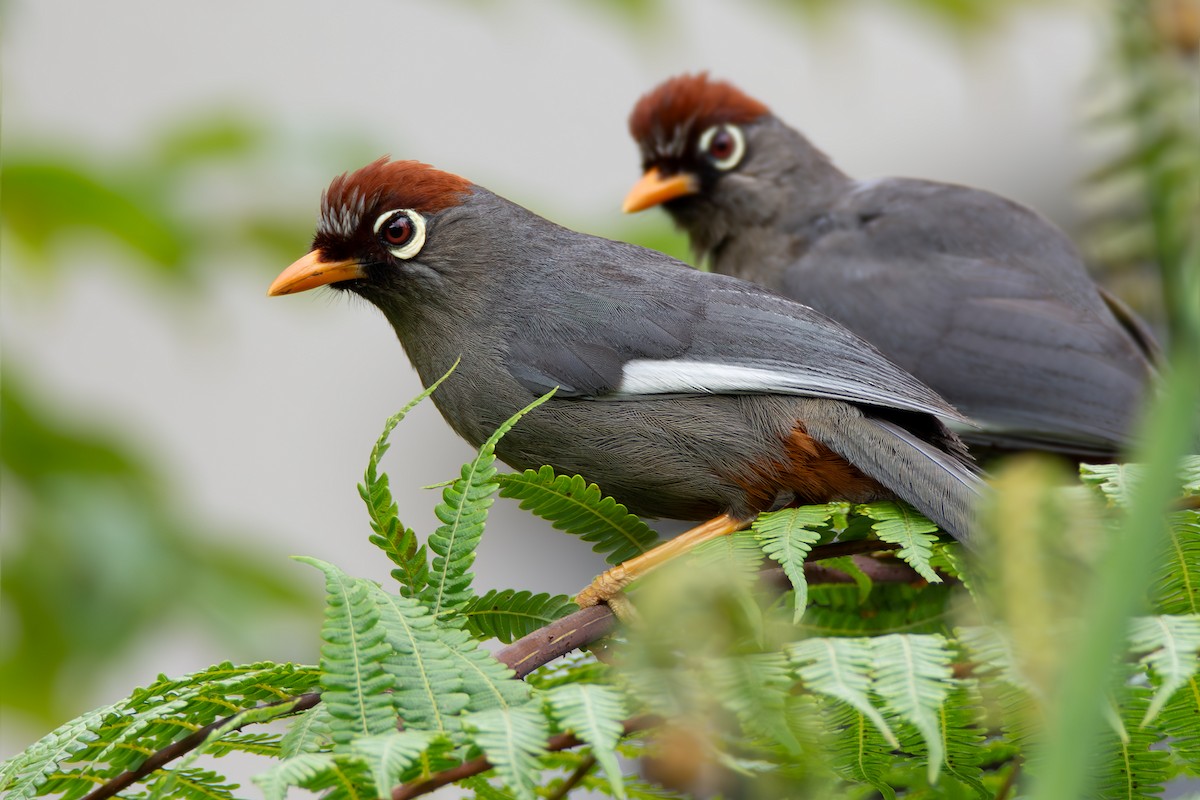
{"x": 985, "y": 302}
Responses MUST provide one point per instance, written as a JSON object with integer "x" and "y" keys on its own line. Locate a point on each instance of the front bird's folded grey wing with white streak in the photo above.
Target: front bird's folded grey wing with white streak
{"x": 674, "y": 330}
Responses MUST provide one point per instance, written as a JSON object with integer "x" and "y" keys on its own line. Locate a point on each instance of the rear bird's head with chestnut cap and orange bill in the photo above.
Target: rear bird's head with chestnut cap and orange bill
{"x": 692, "y": 133}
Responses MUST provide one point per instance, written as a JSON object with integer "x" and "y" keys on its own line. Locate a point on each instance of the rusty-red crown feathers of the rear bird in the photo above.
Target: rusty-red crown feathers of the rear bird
{"x": 688, "y": 99}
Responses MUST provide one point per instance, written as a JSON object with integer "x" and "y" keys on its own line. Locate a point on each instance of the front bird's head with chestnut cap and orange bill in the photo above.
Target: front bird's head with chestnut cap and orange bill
{"x": 375, "y": 225}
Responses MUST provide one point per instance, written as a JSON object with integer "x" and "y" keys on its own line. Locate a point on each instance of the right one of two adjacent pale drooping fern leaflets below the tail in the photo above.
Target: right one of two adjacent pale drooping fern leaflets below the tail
{"x": 914, "y": 678}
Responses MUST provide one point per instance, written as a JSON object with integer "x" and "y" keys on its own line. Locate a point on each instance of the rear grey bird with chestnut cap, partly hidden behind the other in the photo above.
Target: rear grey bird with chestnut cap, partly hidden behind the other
{"x": 980, "y": 298}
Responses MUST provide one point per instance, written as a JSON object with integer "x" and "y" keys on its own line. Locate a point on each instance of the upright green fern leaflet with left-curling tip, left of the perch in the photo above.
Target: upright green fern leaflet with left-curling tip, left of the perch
{"x": 356, "y": 685}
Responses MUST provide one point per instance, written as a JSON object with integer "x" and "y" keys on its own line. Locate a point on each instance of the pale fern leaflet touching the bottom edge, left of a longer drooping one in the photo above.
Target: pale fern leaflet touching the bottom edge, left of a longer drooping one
{"x": 513, "y": 742}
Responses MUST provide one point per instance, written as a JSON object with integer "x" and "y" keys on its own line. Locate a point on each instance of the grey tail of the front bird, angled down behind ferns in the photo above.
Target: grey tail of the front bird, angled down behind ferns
{"x": 937, "y": 477}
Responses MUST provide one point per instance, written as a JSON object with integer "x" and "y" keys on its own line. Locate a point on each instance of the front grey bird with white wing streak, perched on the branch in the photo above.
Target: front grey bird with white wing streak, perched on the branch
{"x": 682, "y": 394}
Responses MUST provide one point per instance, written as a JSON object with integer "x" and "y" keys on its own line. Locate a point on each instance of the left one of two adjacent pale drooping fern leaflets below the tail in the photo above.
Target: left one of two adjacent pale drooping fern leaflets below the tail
{"x": 841, "y": 669}
